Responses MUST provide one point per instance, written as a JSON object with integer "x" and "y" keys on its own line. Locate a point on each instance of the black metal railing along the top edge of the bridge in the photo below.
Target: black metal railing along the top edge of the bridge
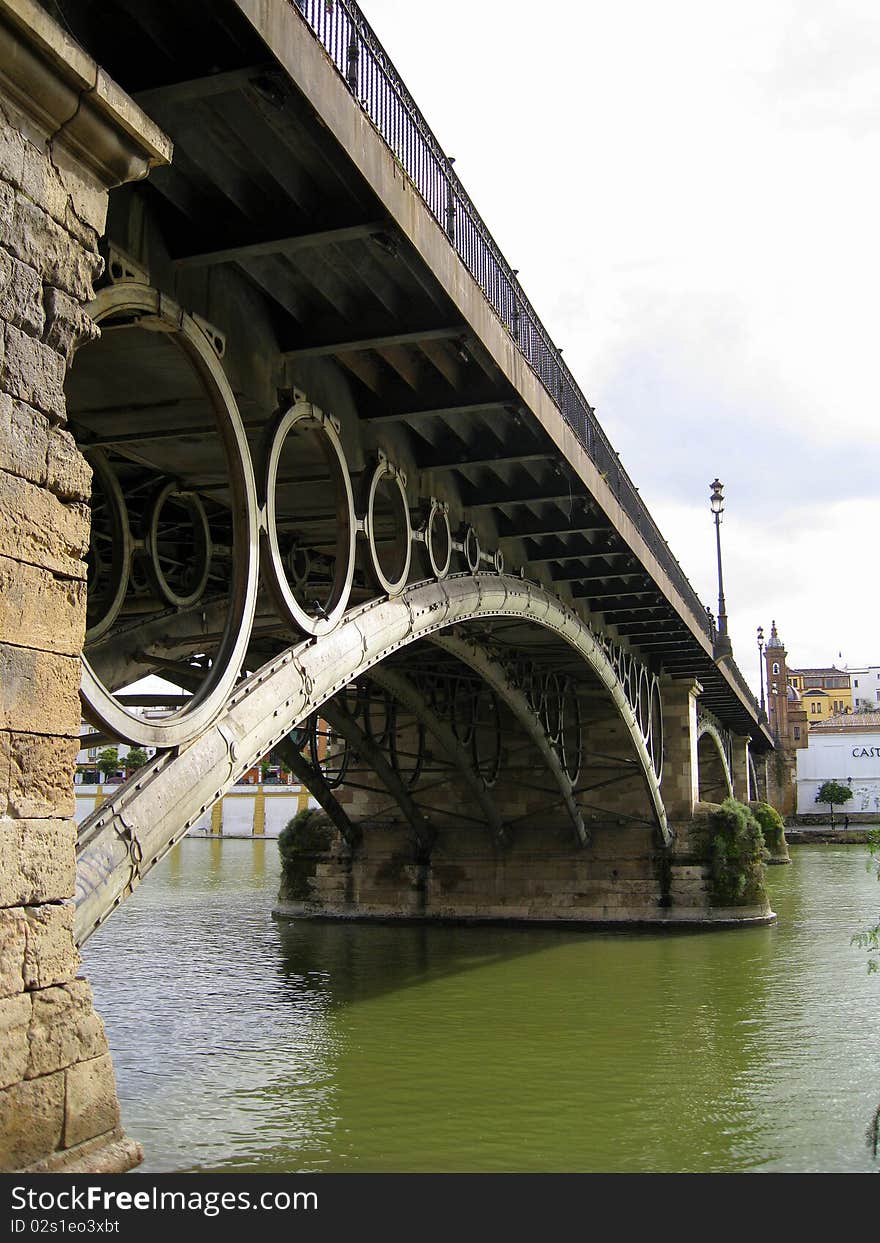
{"x": 362, "y": 62}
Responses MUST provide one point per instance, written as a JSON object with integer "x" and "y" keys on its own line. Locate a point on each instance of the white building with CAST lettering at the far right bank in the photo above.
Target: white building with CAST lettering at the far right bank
{"x": 847, "y": 750}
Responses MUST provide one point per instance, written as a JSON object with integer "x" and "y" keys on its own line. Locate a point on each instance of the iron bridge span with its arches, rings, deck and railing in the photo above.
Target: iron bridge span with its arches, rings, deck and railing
{"x": 349, "y": 499}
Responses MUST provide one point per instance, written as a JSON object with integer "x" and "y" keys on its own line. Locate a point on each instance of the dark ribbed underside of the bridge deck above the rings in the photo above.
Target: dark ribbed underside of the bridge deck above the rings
{"x": 262, "y": 197}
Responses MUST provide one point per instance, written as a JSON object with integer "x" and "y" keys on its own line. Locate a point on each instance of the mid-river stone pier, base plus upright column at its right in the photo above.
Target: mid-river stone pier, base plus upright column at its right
{"x": 625, "y": 874}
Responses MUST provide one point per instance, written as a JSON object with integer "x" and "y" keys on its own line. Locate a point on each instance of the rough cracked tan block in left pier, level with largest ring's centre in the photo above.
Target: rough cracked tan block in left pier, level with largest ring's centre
{"x": 39, "y": 529}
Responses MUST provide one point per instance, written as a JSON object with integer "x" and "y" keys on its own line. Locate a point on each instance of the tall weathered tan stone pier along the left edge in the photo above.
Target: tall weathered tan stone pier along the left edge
{"x": 58, "y": 1097}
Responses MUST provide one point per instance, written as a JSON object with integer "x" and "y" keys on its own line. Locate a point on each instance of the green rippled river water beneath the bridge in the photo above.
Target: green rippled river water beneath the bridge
{"x": 247, "y": 1045}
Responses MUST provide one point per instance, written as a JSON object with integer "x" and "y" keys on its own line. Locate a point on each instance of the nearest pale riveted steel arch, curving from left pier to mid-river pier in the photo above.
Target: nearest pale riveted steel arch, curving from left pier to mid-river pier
{"x": 130, "y": 833}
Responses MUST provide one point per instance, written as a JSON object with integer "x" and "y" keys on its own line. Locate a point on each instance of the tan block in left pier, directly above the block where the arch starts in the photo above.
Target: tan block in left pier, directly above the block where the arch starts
{"x": 37, "y": 775}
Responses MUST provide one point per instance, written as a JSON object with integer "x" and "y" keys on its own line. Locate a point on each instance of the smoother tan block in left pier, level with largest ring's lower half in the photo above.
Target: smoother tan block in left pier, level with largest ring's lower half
{"x": 40, "y": 611}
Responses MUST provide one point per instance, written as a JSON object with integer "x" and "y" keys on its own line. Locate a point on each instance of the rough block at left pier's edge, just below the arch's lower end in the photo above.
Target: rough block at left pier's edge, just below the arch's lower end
{"x": 64, "y": 1029}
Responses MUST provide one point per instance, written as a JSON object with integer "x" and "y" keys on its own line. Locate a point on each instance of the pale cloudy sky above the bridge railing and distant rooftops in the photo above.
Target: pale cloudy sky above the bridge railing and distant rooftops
{"x": 692, "y": 195}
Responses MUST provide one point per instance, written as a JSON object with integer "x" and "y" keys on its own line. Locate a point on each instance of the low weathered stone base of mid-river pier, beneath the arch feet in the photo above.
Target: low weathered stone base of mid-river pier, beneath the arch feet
{"x": 623, "y": 877}
